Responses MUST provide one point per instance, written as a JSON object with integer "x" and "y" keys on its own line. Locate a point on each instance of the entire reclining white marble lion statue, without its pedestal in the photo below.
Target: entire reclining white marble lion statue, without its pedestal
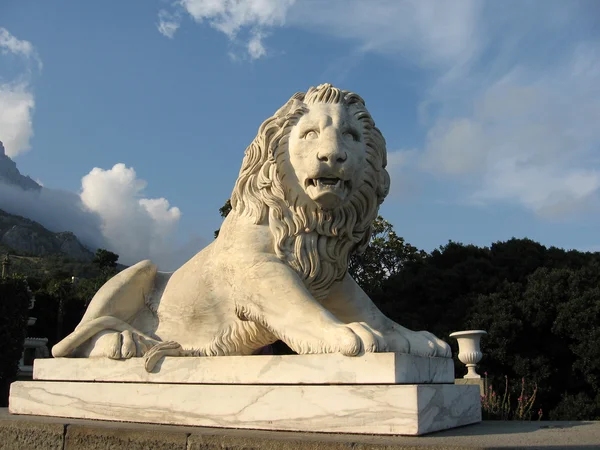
{"x": 308, "y": 191}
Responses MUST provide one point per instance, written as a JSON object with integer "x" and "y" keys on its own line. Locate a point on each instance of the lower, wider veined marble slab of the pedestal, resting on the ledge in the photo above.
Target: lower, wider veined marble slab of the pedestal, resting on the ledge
{"x": 363, "y": 409}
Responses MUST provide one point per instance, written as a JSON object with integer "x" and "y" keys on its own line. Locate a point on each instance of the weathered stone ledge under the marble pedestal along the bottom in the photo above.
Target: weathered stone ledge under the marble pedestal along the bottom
{"x": 47, "y": 433}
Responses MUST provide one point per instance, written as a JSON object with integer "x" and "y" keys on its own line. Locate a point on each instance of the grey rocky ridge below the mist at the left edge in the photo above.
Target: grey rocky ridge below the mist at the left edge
{"x": 28, "y": 238}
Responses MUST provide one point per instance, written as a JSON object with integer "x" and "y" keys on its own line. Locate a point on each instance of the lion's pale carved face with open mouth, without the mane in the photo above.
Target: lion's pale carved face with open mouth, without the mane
{"x": 326, "y": 155}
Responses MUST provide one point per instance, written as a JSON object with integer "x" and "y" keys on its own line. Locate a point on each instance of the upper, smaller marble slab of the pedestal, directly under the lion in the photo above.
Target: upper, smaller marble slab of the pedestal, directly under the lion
{"x": 371, "y": 368}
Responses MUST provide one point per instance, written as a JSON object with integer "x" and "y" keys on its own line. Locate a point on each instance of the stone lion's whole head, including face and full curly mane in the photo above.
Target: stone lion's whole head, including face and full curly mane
{"x": 316, "y": 174}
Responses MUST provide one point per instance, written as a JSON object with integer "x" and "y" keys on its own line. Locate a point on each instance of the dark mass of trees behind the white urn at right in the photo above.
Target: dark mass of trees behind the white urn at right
{"x": 540, "y": 307}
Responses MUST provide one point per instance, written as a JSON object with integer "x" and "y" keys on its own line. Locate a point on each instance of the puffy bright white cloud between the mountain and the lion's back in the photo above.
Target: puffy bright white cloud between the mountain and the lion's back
{"x": 137, "y": 228}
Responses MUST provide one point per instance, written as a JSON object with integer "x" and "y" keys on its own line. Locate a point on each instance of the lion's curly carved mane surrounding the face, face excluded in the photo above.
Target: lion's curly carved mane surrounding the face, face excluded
{"x": 317, "y": 244}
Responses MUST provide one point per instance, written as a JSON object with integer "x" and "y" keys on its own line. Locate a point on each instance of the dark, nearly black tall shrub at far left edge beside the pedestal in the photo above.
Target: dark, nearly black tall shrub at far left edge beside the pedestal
{"x": 14, "y": 305}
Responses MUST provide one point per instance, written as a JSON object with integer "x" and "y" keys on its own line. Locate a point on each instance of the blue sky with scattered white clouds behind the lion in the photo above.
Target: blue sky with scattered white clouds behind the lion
{"x": 138, "y": 112}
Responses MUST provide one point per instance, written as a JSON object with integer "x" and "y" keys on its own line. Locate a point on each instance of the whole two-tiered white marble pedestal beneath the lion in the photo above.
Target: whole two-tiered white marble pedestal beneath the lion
{"x": 353, "y": 395}
